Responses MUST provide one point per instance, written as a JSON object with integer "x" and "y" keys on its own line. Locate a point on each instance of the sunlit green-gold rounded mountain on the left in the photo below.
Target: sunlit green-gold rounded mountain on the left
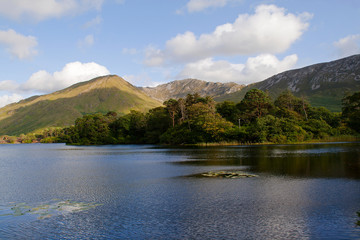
{"x": 61, "y": 108}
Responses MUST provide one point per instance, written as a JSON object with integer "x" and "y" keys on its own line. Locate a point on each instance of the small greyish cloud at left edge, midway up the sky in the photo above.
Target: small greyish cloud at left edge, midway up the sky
{"x": 17, "y": 44}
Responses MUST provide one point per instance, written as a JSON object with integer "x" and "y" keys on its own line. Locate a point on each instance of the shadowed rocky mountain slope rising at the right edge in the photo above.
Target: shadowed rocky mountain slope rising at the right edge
{"x": 323, "y": 84}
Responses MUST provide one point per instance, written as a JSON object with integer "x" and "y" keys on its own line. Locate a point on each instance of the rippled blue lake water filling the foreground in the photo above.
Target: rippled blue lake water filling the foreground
{"x": 54, "y": 191}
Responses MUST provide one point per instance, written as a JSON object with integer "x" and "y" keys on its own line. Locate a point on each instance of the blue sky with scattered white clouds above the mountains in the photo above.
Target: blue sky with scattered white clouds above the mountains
{"x": 48, "y": 45}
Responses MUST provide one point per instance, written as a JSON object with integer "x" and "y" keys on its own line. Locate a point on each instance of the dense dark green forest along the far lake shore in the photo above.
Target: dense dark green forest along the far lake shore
{"x": 196, "y": 119}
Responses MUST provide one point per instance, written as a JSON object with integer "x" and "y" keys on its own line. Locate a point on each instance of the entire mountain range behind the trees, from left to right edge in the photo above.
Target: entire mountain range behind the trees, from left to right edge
{"x": 322, "y": 84}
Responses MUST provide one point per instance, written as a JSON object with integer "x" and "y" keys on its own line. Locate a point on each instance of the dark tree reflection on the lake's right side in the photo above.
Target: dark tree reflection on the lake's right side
{"x": 314, "y": 160}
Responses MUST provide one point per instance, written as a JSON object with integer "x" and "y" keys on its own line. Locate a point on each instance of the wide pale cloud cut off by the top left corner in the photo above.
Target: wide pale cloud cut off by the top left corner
{"x": 42, "y": 9}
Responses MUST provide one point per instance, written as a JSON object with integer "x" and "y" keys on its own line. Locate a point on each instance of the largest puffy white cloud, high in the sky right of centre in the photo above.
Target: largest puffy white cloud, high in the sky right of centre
{"x": 269, "y": 30}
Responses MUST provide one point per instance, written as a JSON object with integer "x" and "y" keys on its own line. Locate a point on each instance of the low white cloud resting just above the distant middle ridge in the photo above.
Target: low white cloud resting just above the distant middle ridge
{"x": 255, "y": 69}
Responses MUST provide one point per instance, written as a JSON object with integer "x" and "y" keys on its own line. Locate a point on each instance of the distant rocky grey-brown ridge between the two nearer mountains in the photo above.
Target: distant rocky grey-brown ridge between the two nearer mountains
{"x": 180, "y": 88}
